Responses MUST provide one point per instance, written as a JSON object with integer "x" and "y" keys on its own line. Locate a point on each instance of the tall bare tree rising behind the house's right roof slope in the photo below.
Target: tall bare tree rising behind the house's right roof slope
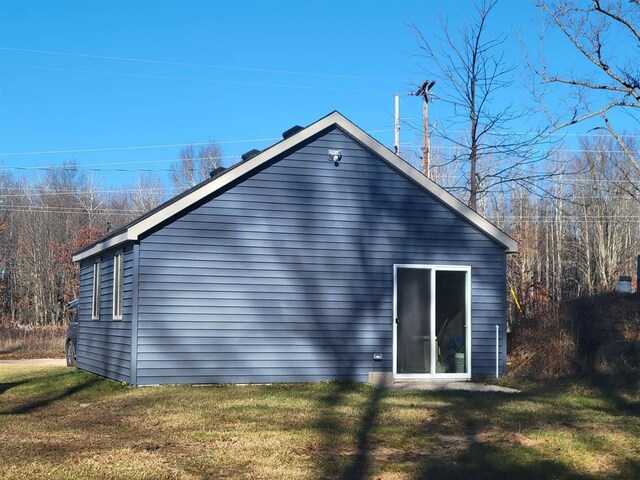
{"x": 471, "y": 74}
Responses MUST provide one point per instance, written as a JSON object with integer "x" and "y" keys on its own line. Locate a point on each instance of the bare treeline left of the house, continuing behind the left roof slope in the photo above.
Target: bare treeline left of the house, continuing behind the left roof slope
{"x": 44, "y": 220}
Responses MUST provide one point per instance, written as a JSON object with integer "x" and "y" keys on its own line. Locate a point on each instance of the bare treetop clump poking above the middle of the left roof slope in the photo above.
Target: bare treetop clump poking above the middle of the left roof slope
{"x": 193, "y": 166}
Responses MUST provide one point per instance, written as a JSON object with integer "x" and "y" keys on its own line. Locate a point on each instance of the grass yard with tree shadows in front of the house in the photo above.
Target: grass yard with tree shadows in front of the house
{"x": 60, "y": 423}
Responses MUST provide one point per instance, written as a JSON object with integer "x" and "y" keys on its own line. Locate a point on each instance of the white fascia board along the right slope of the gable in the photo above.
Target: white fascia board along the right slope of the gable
{"x": 445, "y": 197}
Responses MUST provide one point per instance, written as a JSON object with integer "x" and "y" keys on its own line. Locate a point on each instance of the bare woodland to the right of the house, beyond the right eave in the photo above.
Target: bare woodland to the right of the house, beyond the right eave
{"x": 581, "y": 233}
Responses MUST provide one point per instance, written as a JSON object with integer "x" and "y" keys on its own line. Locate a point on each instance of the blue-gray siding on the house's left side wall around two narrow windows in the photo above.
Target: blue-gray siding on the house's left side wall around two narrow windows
{"x": 104, "y": 345}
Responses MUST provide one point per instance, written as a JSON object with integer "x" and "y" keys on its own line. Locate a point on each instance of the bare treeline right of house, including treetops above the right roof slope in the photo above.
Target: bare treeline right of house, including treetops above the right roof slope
{"x": 576, "y": 218}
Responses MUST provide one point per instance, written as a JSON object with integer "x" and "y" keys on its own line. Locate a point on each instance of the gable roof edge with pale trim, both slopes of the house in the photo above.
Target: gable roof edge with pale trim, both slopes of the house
{"x": 134, "y": 230}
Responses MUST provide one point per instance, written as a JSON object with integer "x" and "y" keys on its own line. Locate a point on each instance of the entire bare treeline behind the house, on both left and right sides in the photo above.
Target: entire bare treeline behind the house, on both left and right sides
{"x": 578, "y": 230}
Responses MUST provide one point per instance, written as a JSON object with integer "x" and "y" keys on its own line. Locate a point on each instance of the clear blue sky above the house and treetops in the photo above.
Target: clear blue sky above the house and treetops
{"x": 93, "y": 78}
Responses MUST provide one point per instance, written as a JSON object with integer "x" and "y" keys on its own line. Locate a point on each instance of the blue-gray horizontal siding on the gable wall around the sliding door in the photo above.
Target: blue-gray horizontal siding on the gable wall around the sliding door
{"x": 288, "y": 276}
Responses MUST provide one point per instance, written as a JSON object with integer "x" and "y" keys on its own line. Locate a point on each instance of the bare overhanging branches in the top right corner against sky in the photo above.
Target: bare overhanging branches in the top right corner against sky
{"x": 606, "y": 34}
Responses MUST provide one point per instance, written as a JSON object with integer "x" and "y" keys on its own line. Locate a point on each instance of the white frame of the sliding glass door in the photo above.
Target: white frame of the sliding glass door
{"x": 432, "y": 315}
